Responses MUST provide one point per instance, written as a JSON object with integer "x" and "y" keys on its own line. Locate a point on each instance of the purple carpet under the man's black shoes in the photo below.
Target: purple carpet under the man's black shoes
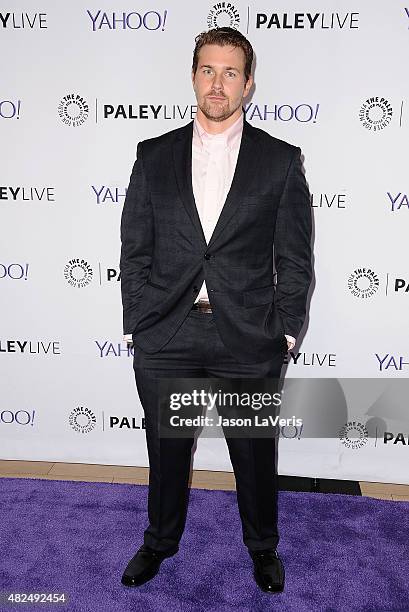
{"x": 341, "y": 553}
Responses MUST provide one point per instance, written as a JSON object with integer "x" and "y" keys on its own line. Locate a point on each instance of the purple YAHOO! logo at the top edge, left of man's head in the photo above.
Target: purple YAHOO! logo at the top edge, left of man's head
{"x": 151, "y": 20}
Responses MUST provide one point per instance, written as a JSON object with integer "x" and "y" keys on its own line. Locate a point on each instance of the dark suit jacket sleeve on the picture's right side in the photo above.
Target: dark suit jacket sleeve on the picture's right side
{"x": 292, "y": 248}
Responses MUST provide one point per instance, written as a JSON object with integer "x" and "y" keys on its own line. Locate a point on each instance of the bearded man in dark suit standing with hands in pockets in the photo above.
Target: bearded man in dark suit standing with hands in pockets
{"x": 210, "y": 207}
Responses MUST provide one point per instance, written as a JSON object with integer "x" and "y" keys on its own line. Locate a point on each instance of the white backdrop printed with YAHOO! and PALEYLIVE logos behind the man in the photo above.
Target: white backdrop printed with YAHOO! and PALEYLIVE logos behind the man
{"x": 81, "y": 84}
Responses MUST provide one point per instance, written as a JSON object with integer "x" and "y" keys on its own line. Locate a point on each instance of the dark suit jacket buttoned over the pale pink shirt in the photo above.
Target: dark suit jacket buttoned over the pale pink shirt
{"x": 165, "y": 258}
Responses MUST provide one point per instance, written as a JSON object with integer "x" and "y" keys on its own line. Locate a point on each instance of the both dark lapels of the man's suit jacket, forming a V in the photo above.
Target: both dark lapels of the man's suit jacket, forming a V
{"x": 246, "y": 164}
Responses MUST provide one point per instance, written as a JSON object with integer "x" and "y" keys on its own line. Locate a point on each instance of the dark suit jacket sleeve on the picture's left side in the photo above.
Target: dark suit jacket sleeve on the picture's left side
{"x": 137, "y": 243}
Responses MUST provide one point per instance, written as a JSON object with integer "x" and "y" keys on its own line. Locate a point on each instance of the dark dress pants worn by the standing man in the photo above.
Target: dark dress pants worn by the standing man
{"x": 197, "y": 351}
